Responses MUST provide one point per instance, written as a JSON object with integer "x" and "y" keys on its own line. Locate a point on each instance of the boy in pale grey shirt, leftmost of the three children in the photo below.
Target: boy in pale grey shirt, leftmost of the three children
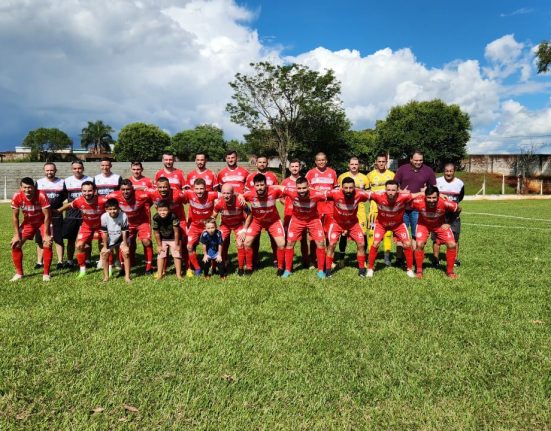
{"x": 114, "y": 237}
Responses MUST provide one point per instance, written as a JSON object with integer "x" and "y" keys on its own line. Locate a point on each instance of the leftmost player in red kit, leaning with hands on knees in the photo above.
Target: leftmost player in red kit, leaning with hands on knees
{"x": 36, "y": 218}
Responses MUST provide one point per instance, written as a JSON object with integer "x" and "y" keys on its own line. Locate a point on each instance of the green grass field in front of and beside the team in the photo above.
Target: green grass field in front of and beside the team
{"x": 265, "y": 353}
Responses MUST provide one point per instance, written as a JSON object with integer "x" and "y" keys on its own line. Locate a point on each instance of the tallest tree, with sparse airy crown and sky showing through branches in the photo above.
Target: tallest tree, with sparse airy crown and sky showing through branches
{"x": 283, "y": 103}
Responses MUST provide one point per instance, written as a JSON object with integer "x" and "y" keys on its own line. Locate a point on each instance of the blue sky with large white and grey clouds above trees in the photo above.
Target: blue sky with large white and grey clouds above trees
{"x": 169, "y": 62}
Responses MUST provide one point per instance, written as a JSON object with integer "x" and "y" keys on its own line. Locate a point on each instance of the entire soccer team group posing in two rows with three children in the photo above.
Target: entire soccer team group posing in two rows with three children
{"x": 321, "y": 211}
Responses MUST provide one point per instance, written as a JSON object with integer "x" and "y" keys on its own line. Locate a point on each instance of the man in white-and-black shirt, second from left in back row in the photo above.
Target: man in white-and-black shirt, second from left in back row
{"x": 73, "y": 219}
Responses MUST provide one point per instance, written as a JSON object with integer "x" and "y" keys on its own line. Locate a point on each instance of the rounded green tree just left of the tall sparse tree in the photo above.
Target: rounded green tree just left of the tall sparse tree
{"x": 205, "y": 137}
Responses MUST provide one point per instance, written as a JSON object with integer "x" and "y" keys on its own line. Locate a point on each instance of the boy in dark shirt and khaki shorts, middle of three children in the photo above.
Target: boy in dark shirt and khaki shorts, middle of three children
{"x": 166, "y": 228}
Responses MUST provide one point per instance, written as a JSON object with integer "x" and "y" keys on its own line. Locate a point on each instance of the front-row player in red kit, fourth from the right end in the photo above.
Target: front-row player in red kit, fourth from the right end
{"x": 305, "y": 219}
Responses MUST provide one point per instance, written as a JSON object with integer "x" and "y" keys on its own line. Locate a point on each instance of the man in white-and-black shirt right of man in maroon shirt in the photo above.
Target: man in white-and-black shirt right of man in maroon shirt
{"x": 452, "y": 188}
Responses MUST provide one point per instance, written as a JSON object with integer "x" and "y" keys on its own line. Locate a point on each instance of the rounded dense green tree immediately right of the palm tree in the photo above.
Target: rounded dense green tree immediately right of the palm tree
{"x": 143, "y": 142}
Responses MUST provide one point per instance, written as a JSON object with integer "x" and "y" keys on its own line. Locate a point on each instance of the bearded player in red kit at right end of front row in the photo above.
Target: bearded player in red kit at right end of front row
{"x": 432, "y": 218}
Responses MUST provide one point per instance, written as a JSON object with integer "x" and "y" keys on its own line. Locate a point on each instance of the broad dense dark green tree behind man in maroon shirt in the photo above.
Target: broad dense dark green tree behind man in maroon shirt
{"x": 439, "y": 130}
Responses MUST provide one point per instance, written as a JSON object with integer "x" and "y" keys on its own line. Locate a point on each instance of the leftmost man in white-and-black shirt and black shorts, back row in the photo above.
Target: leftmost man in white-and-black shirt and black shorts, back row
{"x": 54, "y": 188}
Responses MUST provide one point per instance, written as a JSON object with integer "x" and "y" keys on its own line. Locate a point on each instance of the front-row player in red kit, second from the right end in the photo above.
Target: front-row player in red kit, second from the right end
{"x": 391, "y": 205}
